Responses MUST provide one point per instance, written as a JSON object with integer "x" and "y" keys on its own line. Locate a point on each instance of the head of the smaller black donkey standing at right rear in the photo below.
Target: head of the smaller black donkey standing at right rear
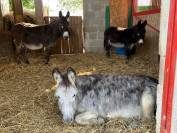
{"x": 139, "y": 32}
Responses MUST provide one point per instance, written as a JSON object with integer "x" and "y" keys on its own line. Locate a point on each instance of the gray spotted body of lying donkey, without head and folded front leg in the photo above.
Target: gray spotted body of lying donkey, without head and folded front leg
{"x": 118, "y": 96}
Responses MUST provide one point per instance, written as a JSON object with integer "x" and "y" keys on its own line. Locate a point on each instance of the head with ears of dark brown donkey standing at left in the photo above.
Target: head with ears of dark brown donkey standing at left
{"x": 64, "y": 21}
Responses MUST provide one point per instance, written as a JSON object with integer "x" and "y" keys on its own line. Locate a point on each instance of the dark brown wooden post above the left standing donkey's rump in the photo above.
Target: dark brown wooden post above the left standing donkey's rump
{"x": 18, "y": 10}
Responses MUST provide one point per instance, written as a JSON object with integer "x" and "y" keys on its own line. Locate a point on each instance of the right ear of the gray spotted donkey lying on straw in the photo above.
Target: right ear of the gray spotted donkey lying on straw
{"x": 71, "y": 73}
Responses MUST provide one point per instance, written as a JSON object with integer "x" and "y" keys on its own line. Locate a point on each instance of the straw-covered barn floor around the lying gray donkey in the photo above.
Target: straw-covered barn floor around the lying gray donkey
{"x": 25, "y": 106}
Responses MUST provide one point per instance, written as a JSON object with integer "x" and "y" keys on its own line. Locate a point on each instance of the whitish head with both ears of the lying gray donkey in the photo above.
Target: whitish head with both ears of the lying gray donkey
{"x": 66, "y": 93}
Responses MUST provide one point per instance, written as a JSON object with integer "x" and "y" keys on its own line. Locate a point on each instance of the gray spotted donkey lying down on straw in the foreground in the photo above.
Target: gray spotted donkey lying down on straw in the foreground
{"x": 89, "y": 99}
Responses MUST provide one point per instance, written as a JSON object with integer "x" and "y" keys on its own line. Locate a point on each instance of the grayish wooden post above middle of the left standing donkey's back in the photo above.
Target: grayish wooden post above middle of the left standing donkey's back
{"x": 39, "y": 11}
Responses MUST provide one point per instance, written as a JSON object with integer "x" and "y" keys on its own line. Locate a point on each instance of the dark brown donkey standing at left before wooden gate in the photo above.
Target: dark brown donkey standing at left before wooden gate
{"x": 39, "y": 36}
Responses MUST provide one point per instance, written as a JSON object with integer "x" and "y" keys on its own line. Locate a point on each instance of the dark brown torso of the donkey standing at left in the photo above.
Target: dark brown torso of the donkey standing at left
{"x": 41, "y": 34}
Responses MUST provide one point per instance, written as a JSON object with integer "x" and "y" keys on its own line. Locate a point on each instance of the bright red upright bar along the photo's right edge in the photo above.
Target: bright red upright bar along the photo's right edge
{"x": 169, "y": 74}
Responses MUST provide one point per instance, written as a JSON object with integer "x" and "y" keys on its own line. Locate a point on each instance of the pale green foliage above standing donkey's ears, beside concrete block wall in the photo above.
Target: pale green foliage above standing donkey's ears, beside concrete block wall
{"x": 71, "y": 5}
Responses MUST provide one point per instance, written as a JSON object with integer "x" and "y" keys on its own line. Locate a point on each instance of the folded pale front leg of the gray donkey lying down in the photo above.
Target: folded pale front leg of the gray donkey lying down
{"x": 88, "y": 118}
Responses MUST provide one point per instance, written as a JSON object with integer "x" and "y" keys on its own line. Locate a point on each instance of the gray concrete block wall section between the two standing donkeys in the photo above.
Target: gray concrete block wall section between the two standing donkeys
{"x": 94, "y": 24}
